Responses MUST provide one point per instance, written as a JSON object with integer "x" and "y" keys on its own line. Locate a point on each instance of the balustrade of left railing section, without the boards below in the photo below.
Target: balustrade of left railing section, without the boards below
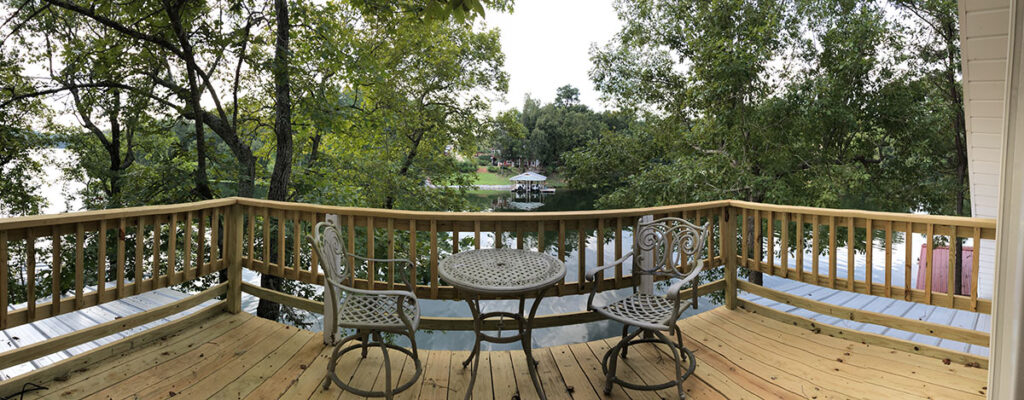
{"x": 143, "y": 249}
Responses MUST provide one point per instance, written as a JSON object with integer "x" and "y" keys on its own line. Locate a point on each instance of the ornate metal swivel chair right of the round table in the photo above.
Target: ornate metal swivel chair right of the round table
{"x": 676, "y": 247}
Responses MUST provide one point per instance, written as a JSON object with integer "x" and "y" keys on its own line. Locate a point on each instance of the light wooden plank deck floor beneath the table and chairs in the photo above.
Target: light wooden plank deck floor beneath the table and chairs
{"x": 741, "y": 355}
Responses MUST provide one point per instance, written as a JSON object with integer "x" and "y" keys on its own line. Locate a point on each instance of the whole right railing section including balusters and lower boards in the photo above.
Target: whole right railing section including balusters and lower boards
{"x": 806, "y": 244}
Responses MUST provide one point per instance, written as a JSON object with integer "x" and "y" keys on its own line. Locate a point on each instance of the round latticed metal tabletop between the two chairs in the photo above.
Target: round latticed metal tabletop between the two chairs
{"x": 506, "y": 272}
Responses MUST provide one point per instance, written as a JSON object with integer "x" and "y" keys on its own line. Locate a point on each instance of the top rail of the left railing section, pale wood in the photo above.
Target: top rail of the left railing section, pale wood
{"x": 97, "y": 215}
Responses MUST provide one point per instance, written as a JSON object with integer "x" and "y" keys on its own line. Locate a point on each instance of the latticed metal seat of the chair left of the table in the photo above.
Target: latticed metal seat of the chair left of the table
{"x": 376, "y": 312}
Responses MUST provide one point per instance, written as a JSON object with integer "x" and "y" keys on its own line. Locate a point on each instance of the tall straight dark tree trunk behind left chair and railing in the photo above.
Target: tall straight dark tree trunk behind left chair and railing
{"x": 283, "y": 132}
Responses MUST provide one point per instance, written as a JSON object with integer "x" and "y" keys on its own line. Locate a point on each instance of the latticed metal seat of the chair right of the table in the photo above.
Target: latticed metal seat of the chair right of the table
{"x": 654, "y": 313}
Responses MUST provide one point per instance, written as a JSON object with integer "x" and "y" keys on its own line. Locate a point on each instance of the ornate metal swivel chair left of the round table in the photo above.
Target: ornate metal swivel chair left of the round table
{"x": 369, "y": 313}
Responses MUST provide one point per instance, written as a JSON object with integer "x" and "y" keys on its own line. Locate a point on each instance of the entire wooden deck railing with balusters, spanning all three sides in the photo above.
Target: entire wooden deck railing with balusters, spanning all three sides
{"x": 148, "y": 248}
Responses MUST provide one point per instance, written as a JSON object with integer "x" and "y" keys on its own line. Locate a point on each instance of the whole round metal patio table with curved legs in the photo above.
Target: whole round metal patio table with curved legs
{"x": 502, "y": 273}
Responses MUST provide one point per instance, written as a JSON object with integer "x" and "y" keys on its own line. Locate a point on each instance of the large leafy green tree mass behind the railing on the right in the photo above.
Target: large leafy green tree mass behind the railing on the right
{"x": 792, "y": 103}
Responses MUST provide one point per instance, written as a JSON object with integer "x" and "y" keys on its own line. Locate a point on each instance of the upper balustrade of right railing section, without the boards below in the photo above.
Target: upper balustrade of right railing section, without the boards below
{"x": 771, "y": 229}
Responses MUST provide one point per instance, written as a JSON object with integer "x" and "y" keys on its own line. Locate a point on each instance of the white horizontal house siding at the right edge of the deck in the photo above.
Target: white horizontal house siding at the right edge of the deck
{"x": 985, "y": 29}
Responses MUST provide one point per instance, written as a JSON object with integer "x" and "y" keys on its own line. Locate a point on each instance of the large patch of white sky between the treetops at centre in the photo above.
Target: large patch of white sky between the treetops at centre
{"x": 547, "y": 46}
